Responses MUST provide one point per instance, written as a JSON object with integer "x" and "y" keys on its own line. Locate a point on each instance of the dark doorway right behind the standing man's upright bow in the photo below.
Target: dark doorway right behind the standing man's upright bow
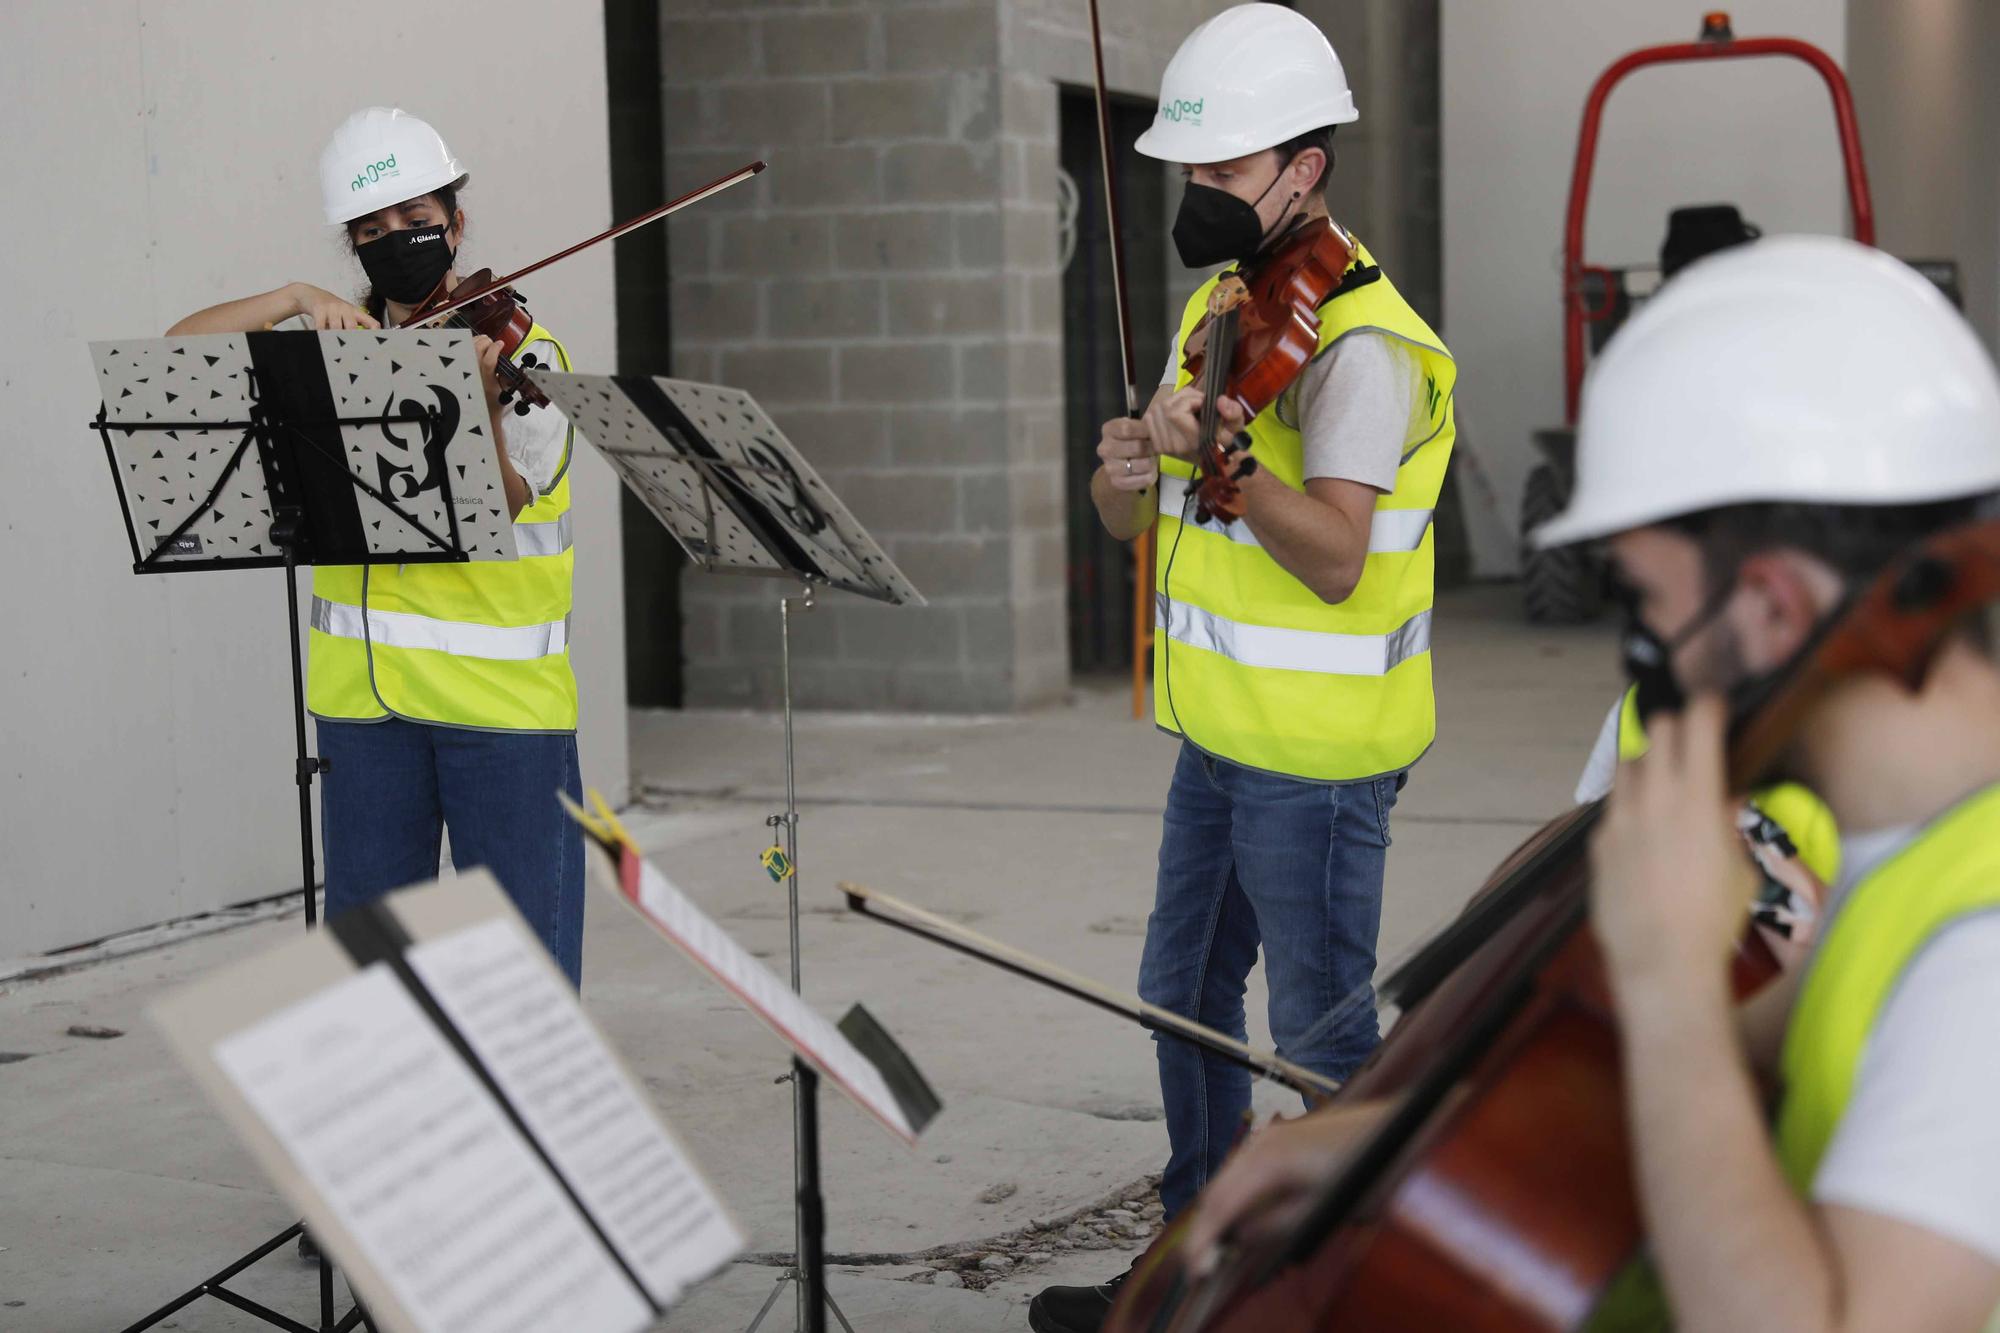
{"x": 1093, "y": 381}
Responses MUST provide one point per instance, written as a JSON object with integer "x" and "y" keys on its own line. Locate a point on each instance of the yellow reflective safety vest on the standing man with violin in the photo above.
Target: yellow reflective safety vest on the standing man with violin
{"x": 1249, "y": 663}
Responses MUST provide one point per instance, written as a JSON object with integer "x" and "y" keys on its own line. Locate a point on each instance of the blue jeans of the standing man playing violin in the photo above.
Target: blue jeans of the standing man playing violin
{"x": 1251, "y": 858}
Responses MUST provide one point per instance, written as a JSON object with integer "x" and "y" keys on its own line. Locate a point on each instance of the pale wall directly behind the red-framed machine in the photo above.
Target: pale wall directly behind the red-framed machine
{"x": 1515, "y": 79}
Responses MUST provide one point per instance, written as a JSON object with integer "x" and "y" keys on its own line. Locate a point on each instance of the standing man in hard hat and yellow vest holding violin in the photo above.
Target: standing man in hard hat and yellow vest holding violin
{"x": 1293, "y": 645}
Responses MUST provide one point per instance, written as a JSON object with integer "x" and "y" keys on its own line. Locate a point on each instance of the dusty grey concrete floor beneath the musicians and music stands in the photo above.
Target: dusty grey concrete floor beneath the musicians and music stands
{"x": 119, "y": 1188}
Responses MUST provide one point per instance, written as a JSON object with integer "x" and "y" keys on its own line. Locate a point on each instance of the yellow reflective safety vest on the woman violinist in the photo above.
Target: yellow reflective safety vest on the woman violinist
{"x": 463, "y": 645}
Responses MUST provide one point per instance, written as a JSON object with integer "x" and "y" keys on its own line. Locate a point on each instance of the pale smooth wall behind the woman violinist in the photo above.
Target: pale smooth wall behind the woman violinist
{"x": 163, "y": 157}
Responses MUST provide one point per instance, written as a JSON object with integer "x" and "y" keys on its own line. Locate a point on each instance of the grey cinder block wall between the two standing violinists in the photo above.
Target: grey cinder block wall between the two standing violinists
{"x": 889, "y": 289}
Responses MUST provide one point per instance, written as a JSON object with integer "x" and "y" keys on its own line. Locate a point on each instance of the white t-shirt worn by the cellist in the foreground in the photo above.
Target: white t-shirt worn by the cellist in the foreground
{"x": 1921, "y": 1136}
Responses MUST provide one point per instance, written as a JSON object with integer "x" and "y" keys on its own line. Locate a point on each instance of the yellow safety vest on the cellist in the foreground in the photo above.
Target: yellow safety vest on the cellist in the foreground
{"x": 1949, "y": 874}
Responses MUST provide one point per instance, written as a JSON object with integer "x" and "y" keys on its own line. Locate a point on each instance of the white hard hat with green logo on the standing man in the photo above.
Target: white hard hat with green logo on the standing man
{"x": 1249, "y": 79}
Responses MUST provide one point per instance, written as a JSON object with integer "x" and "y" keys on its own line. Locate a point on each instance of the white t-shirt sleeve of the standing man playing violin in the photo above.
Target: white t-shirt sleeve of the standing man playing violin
{"x": 1353, "y": 407}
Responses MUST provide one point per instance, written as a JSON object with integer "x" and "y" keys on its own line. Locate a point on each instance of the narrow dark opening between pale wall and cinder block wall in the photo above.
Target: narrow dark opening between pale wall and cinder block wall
{"x": 639, "y": 263}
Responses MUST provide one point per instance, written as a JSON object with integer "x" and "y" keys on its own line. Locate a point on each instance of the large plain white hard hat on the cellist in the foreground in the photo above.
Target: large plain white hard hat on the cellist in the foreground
{"x": 1791, "y": 369}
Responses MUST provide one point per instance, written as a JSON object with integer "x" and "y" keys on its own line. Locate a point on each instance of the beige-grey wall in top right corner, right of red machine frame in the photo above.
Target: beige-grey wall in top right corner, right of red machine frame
{"x": 1929, "y": 105}
